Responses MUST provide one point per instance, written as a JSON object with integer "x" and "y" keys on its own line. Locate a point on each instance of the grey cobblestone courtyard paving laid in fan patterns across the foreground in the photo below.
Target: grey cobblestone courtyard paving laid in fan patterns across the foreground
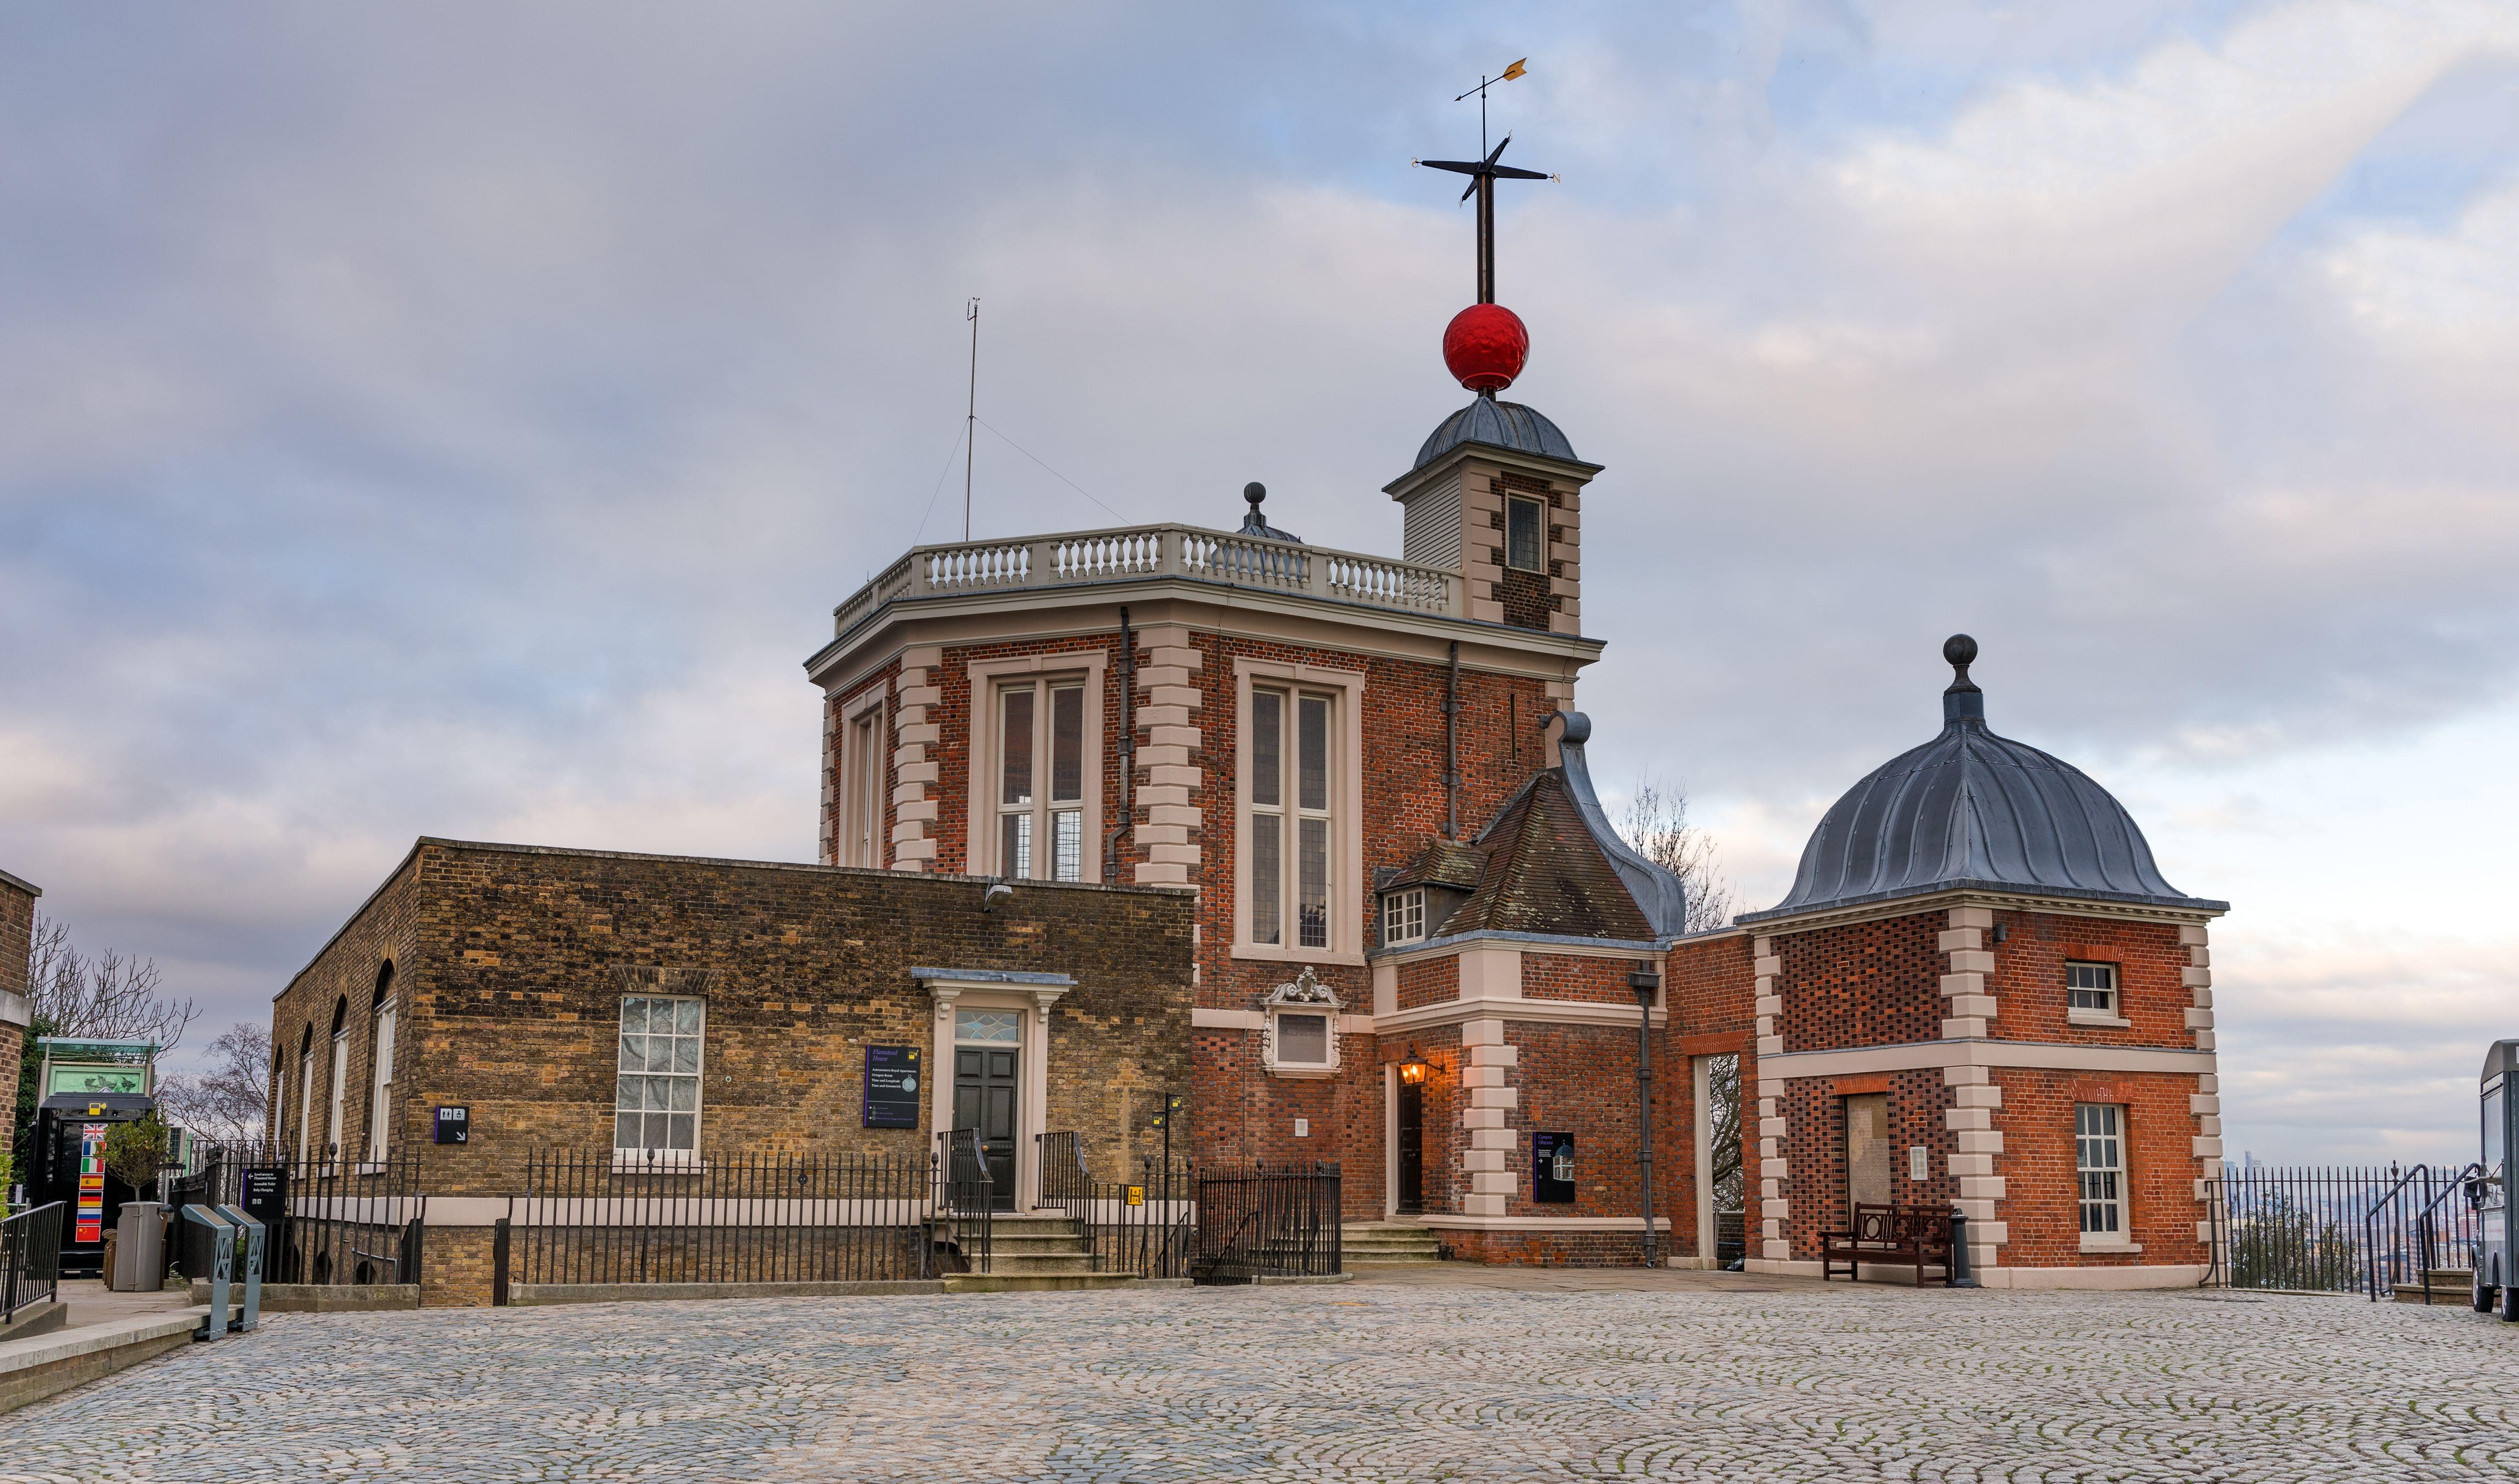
{"x": 1364, "y": 1382}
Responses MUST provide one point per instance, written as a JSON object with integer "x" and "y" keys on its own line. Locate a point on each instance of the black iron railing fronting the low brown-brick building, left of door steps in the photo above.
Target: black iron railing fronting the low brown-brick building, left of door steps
{"x": 729, "y": 1218}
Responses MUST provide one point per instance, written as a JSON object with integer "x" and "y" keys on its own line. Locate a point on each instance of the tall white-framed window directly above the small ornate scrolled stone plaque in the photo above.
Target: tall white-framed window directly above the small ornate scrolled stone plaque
{"x": 1291, "y": 818}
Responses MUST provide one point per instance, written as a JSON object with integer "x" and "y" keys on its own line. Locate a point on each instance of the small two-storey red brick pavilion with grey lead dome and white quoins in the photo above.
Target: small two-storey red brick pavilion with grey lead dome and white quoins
{"x": 1984, "y": 991}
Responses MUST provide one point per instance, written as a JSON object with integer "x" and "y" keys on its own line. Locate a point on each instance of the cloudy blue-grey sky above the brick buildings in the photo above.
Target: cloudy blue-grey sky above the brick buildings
{"x": 462, "y": 422}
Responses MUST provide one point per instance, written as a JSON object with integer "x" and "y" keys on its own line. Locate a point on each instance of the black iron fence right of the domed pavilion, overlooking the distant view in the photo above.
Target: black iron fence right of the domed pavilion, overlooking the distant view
{"x": 2341, "y": 1228}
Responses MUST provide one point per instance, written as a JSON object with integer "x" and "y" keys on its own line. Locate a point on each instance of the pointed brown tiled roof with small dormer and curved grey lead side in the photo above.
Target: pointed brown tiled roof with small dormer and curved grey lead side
{"x": 1550, "y": 863}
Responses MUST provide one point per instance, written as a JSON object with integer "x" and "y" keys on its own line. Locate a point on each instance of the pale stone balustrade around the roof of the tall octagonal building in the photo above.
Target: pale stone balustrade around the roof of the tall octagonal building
{"x": 1160, "y": 551}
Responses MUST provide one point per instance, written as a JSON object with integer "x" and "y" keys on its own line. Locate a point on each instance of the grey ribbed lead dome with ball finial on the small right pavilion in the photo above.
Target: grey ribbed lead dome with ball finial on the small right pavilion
{"x": 1976, "y": 810}
